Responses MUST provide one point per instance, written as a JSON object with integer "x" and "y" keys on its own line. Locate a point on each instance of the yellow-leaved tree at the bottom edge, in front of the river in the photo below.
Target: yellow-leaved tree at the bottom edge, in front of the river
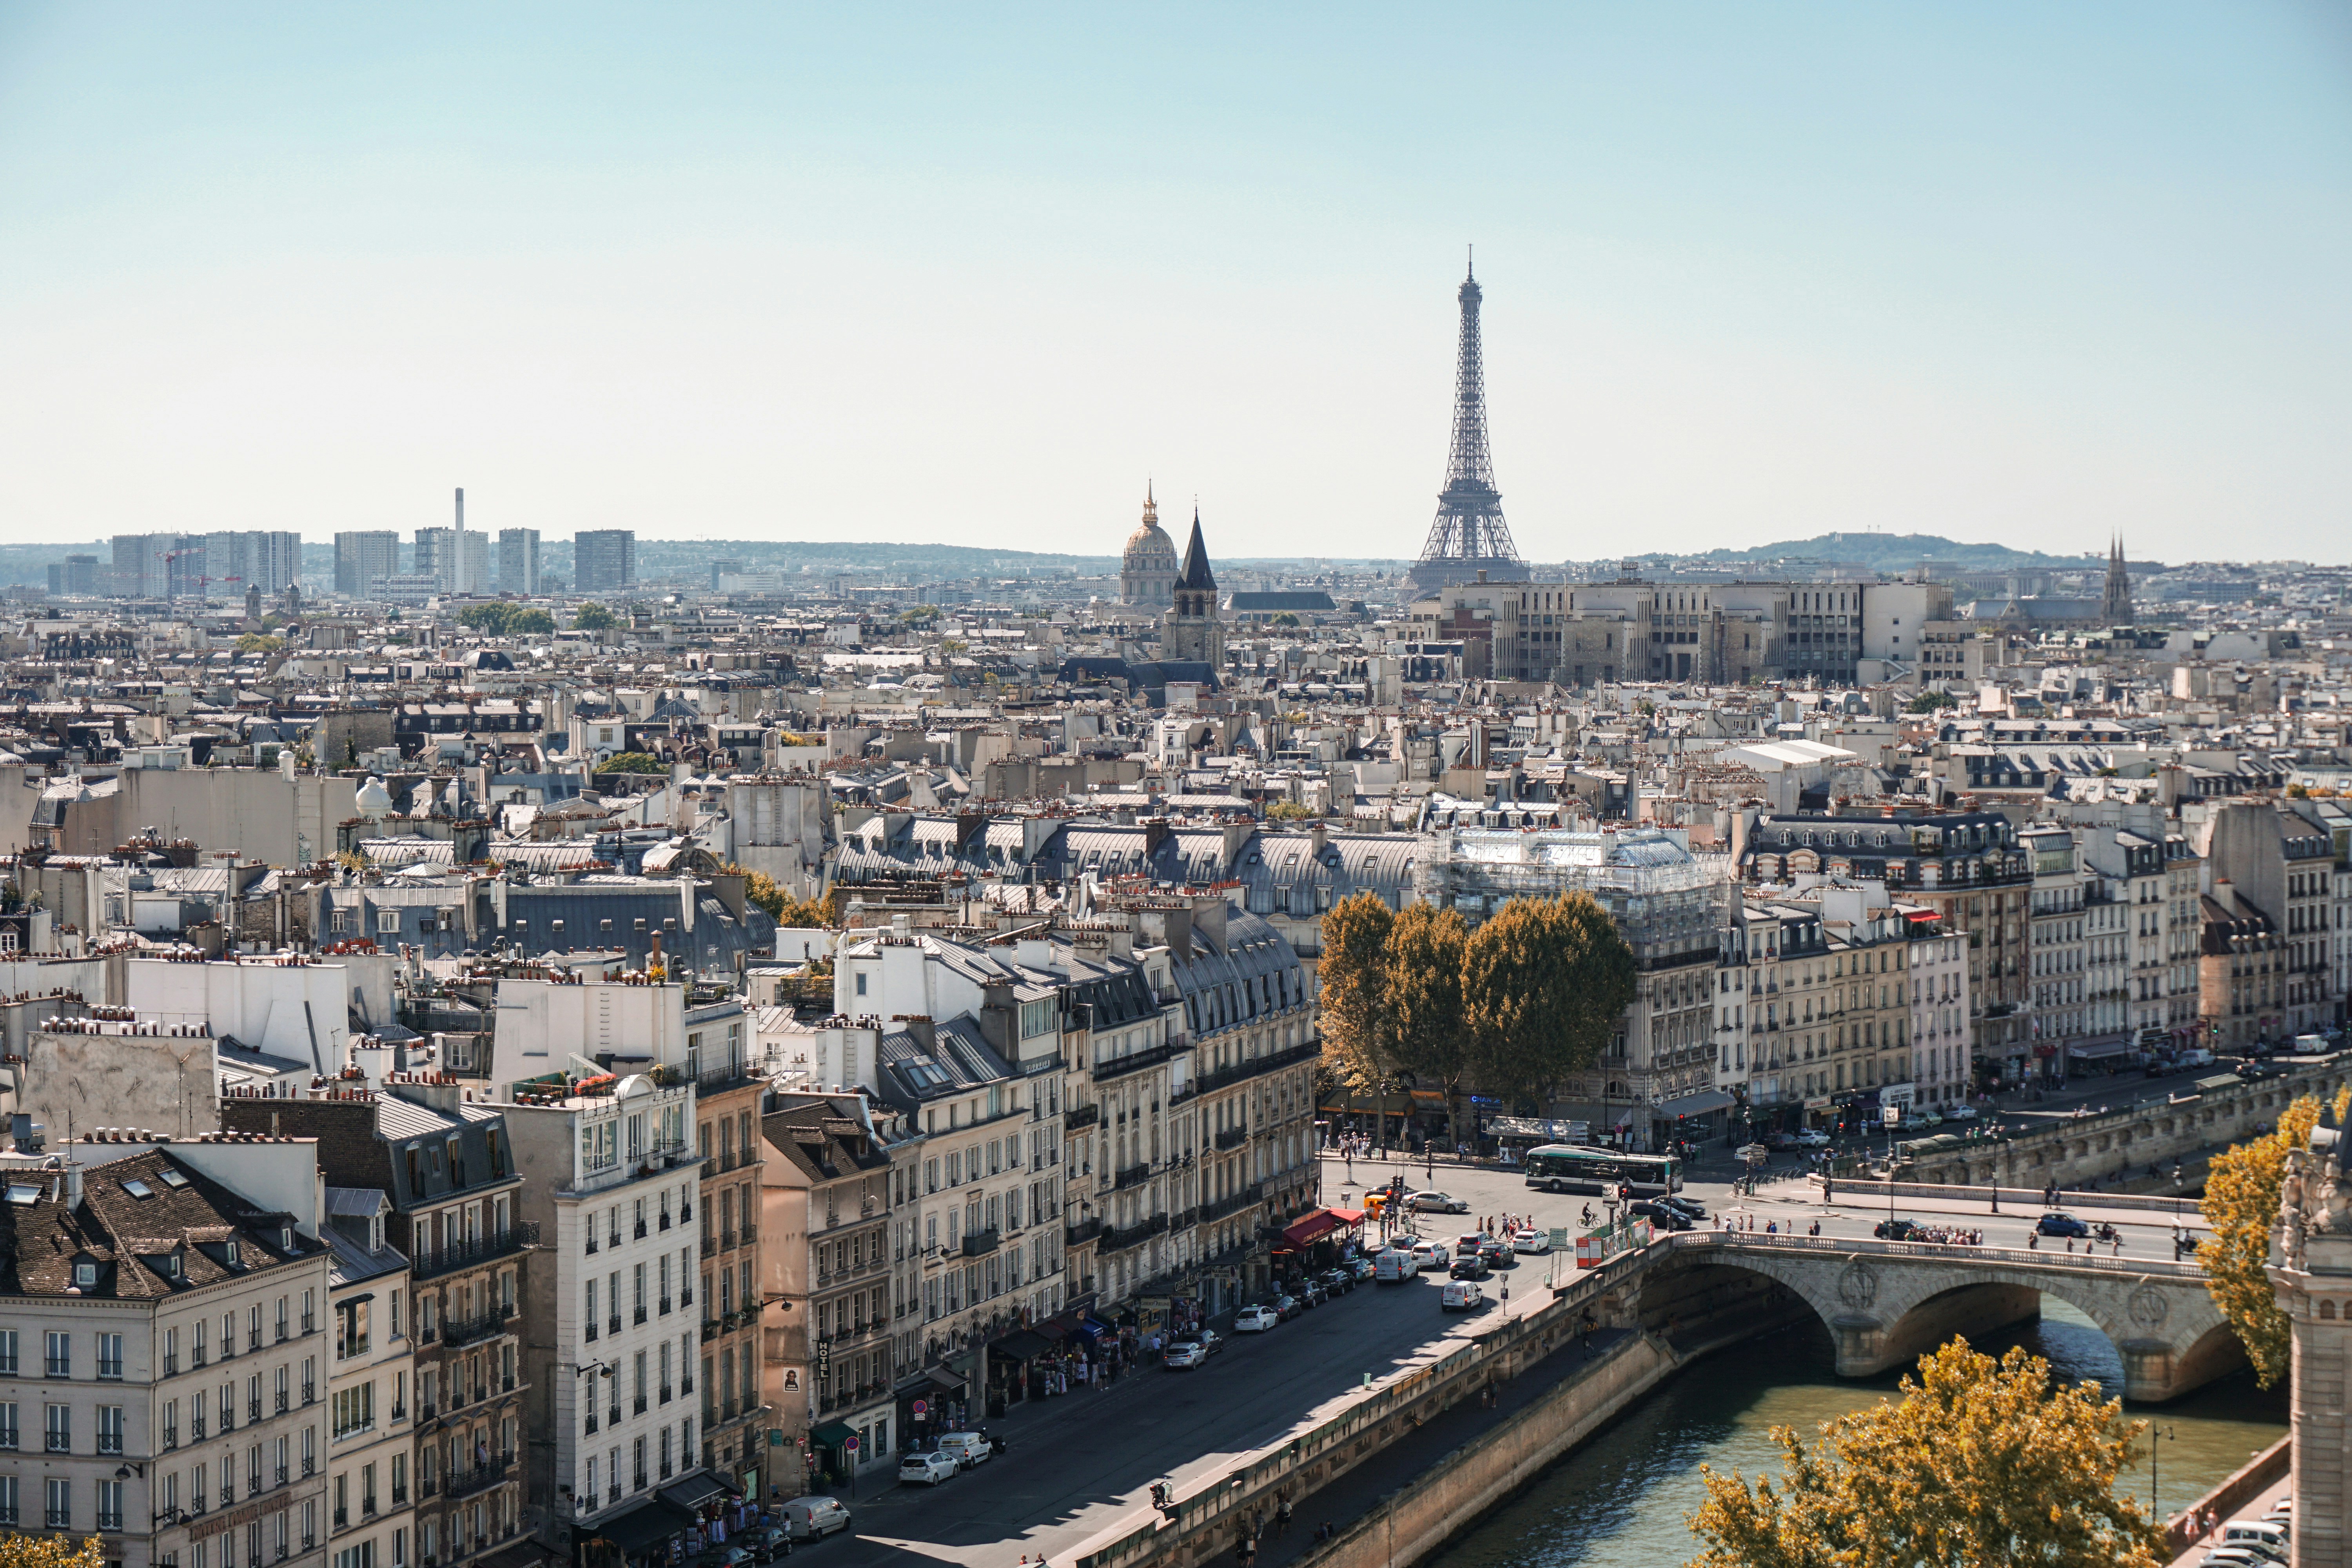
{"x": 1979, "y": 1466}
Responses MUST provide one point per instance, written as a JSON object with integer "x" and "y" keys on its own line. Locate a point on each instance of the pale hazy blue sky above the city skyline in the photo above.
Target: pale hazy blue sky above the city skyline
{"x": 1753, "y": 272}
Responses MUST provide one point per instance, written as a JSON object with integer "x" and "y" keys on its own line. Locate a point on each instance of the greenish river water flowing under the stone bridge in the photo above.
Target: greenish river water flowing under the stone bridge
{"x": 1624, "y": 1499}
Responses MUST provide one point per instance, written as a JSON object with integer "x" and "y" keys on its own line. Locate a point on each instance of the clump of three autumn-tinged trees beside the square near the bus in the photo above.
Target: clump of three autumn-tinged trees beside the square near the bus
{"x": 1518, "y": 1005}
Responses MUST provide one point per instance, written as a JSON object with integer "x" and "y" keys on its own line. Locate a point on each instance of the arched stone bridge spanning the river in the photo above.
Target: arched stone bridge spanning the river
{"x": 1885, "y": 1304}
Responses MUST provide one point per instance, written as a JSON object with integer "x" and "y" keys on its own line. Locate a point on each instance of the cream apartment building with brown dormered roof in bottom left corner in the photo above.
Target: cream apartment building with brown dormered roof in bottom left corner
{"x": 163, "y": 1353}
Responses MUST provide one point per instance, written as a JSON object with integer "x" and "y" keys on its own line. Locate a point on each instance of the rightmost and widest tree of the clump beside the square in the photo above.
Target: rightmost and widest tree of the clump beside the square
{"x": 1544, "y": 989}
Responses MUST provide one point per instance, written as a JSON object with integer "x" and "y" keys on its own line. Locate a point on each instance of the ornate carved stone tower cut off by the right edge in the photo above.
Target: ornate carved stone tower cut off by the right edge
{"x": 2311, "y": 1268}
